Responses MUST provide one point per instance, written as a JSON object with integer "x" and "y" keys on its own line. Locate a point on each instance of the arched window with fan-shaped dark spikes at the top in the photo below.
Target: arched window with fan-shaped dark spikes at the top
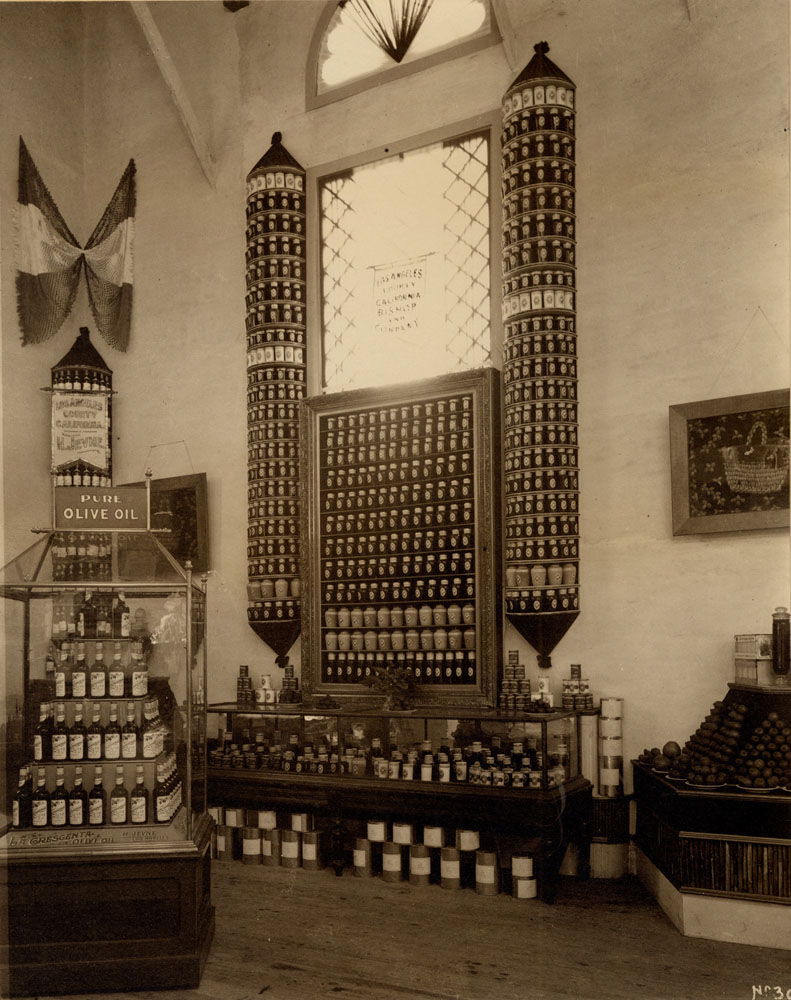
{"x": 361, "y": 43}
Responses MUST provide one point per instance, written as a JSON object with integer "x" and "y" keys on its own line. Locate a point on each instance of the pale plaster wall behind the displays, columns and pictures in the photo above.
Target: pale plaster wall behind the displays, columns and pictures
{"x": 683, "y": 288}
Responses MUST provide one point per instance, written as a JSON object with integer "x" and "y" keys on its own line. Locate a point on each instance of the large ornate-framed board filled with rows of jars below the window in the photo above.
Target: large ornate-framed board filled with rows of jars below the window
{"x": 401, "y": 538}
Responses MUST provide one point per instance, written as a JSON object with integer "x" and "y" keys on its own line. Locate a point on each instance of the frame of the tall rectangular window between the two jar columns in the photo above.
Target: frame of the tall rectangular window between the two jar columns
{"x": 491, "y": 121}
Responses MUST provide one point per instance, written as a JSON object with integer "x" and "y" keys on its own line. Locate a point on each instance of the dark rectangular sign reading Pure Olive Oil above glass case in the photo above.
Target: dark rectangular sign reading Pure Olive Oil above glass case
{"x": 119, "y": 508}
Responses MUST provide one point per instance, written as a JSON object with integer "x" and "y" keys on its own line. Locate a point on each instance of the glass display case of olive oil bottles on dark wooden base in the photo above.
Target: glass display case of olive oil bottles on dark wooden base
{"x": 103, "y": 752}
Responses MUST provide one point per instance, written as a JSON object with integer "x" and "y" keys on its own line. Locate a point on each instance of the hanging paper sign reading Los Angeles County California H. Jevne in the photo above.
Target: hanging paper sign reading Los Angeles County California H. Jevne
{"x": 80, "y": 429}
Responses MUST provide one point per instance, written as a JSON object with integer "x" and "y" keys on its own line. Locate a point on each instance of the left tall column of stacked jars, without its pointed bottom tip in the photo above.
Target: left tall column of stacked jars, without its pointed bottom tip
{"x": 275, "y": 300}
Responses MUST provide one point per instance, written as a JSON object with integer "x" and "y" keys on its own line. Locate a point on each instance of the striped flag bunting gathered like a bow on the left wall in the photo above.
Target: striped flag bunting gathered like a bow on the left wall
{"x": 50, "y": 260}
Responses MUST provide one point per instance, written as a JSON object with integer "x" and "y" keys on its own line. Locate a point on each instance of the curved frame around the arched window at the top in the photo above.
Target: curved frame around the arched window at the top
{"x": 313, "y": 99}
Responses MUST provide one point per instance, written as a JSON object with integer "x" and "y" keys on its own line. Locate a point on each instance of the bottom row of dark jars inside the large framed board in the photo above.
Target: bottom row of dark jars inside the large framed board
{"x": 426, "y": 666}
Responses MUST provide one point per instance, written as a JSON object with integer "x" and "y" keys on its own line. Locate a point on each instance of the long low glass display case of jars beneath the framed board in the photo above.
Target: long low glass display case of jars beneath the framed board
{"x": 489, "y": 749}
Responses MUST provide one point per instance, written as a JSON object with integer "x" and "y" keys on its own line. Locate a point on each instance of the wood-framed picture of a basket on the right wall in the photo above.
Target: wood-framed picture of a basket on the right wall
{"x": 730, "y": 463}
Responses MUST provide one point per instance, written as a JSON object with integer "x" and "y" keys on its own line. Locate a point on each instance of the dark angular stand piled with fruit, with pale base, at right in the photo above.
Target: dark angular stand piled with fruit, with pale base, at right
{"x": 717, "y": 853}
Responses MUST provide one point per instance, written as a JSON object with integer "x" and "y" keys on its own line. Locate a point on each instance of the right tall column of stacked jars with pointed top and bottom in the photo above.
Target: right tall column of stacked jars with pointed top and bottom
{"x": 540, "y": 355}
